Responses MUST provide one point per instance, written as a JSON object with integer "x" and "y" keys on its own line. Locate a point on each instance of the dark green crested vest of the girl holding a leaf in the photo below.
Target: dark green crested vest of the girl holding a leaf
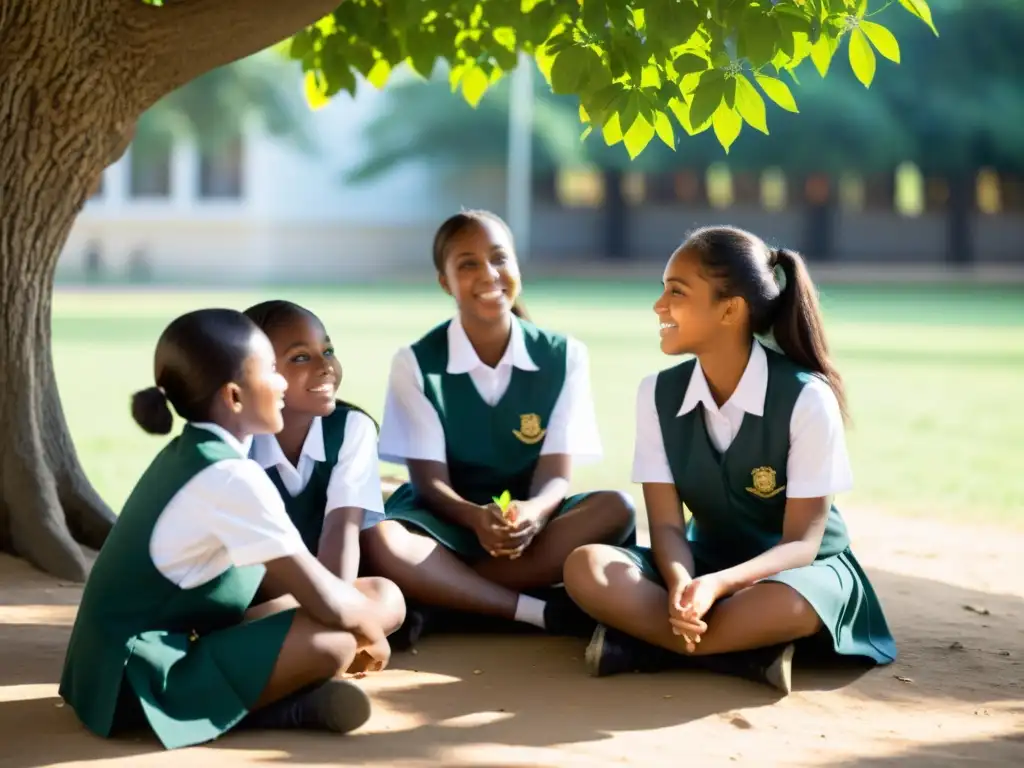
{"x": 494, "y": 449}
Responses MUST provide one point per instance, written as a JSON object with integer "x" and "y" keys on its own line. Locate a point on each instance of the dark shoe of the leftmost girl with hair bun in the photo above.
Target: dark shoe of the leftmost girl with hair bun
{"x": 338, "y": 706}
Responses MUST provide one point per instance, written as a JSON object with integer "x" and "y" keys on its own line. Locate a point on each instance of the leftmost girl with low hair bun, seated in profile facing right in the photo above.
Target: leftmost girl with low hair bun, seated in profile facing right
{"x": 167, "y": 636}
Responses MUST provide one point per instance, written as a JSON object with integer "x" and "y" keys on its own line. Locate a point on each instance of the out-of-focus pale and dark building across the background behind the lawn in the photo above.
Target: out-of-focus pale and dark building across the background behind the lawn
{"x": 264, "y": 211}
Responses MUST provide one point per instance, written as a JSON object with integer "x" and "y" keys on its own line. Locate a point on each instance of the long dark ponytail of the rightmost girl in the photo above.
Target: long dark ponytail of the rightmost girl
{"x": 798, "y": 327}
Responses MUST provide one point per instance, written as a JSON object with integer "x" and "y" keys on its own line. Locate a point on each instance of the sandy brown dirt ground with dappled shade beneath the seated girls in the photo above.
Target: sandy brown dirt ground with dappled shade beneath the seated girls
{"x": 955, "y": 596}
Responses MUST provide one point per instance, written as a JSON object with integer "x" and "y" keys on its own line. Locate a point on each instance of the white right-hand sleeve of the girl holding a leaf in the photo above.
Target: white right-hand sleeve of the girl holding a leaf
{"x": 573, "y": 428}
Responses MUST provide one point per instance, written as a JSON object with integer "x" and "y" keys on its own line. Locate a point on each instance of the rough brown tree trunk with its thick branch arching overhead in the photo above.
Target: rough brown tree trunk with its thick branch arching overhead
{"x": 75, "y": 76}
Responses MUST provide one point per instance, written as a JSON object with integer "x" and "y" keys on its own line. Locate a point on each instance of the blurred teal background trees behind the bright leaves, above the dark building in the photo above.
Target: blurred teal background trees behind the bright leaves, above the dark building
{"x": 960, "y": 122}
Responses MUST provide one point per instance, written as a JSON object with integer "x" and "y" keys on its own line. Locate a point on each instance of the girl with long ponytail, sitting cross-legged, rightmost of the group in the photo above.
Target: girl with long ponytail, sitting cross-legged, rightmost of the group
{"x": 752, "y": 442}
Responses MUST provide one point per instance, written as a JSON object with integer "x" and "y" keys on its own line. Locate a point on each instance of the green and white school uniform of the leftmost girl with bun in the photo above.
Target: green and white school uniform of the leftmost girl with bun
{"x": 159, "y": 636}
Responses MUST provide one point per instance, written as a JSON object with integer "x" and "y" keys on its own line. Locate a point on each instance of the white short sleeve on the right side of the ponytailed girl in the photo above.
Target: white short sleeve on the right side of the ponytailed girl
{"x": 819, "y": 463}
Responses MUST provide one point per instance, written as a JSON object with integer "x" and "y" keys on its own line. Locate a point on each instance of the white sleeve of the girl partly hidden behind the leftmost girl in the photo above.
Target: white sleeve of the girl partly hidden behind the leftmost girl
{"x": 356, "y": 480}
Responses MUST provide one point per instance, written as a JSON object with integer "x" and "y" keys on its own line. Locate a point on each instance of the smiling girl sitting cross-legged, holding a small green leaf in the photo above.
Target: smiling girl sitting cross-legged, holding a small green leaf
{"x": 489, "y": 403}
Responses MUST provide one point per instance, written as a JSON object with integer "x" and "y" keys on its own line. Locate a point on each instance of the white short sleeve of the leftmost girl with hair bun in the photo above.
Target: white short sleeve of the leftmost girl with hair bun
{"x": 249, "y": 519}
